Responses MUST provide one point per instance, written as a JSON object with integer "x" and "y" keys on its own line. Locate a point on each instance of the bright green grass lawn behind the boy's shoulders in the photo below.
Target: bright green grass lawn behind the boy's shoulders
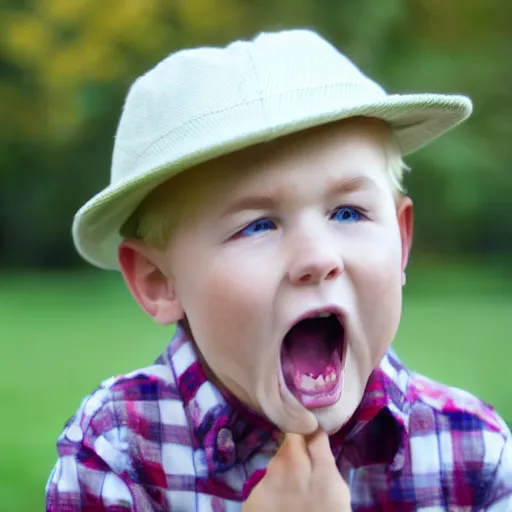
{"x": 61, "y": 334}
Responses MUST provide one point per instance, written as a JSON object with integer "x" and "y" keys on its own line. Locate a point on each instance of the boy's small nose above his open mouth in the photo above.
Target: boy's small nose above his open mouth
{"x": 314, "y": 260}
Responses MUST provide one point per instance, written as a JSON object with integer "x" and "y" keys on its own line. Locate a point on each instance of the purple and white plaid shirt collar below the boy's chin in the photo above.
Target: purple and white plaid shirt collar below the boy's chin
{"x": 230, "y": 433}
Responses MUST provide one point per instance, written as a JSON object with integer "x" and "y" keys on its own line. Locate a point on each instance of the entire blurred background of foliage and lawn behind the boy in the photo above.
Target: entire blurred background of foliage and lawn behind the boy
{"x": 65, "y": 66}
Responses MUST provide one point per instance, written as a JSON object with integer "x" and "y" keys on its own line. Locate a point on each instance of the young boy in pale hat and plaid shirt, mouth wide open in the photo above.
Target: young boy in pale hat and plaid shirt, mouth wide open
{"x": 280, "y": 254}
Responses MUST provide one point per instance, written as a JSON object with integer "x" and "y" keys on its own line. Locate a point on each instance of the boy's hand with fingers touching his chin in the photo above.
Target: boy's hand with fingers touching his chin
{"x": 302, "y": 476}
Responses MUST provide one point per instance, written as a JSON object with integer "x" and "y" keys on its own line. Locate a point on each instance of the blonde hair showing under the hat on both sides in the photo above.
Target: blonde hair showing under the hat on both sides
{"x": 157, "y": 215}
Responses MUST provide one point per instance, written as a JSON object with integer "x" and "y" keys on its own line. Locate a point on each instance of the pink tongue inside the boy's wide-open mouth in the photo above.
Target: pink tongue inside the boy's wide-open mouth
{"x": 308, "y": 348}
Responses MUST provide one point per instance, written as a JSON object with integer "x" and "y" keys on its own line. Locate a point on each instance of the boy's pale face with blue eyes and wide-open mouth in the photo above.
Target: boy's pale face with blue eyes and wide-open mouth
{"x": 306, "y": 226}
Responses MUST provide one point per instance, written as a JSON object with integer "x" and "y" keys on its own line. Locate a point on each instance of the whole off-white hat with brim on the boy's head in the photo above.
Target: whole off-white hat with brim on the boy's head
{"x": 199, "y": 104}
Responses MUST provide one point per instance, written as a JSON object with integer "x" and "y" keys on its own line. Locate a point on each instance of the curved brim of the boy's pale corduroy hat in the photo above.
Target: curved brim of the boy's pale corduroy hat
{"x": 415, "y": 119}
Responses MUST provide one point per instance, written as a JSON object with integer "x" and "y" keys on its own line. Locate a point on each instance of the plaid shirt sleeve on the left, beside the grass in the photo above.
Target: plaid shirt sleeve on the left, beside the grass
{"x": 94, "y": 471}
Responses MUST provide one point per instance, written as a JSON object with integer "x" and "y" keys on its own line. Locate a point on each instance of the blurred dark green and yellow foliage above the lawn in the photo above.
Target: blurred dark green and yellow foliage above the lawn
{"x": 65, "y": 68}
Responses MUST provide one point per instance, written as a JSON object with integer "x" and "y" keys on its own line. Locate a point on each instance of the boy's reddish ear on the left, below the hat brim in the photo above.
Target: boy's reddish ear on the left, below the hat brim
{"x": 143, "y": 270}
